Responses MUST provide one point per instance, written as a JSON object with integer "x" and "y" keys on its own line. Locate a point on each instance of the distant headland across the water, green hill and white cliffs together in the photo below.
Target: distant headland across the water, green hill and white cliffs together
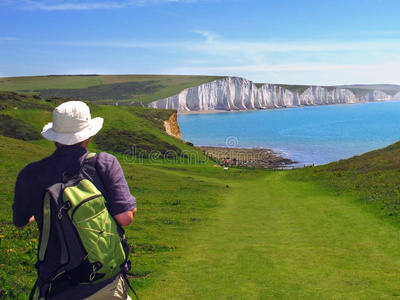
{"x": 194, "y": 92}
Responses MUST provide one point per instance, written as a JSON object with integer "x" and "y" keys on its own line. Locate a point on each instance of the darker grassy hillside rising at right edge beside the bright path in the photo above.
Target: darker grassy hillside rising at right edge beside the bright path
{"x": 373, "y": 178}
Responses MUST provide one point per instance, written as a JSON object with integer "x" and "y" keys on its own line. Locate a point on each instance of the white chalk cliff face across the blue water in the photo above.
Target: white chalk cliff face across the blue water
{"x": 235, "y": 93}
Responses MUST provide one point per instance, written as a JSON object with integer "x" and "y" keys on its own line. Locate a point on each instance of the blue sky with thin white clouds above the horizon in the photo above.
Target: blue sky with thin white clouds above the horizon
{"x": 277, "y": 41}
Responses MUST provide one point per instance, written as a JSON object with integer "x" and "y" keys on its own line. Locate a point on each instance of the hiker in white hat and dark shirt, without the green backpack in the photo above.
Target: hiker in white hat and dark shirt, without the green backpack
{"x": 71, "y": 130}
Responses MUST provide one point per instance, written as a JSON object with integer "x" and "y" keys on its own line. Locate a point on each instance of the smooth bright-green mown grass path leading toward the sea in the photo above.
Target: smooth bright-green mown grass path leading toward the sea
{"x": 274, "y": 238}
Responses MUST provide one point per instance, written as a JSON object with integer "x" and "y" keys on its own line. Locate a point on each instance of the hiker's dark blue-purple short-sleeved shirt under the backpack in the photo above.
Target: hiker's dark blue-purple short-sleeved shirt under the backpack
{"x": 36, "y": 177}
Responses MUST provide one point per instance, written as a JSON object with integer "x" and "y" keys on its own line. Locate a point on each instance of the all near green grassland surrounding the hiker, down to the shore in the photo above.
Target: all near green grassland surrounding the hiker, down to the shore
{"x": 201, "y": 232}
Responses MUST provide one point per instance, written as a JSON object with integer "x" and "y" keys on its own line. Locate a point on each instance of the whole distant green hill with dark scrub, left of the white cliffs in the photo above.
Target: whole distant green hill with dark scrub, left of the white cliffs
{"x": 124, "y": 89}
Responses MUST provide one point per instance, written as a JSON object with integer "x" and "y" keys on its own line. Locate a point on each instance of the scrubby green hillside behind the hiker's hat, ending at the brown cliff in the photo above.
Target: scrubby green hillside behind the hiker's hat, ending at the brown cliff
{"x": 23, "y": 116}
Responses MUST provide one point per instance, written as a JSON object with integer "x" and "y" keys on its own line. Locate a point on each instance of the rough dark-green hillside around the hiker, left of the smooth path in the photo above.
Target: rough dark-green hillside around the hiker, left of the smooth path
{"x": 125, "y": 129}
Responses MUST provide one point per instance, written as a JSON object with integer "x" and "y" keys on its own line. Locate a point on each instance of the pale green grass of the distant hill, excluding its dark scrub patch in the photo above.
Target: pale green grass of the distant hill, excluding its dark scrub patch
{"x": 169, "y": 85}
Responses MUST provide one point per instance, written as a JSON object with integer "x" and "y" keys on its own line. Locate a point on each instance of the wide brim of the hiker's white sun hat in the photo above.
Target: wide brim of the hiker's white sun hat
{"x": 73, "y": 138}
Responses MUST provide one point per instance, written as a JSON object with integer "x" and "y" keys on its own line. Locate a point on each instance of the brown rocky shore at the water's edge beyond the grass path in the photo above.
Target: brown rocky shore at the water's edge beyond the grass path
{"x": 243, "y": 157}
